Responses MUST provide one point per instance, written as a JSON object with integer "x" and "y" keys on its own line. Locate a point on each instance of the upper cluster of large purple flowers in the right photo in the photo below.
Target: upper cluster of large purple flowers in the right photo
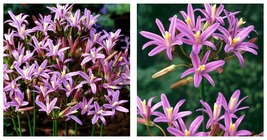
{"x": 213, "y": 37}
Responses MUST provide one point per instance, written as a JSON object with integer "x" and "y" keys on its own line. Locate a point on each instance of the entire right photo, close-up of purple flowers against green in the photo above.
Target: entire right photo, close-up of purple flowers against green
{"x": 200, "y": 70}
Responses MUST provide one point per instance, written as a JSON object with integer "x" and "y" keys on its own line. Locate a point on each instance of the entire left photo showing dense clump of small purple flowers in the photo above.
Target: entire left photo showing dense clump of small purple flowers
{"x": 66, "y": 70}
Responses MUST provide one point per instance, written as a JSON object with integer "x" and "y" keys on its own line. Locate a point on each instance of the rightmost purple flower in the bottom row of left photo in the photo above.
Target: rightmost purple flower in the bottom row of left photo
{"x": 114, "y": 103}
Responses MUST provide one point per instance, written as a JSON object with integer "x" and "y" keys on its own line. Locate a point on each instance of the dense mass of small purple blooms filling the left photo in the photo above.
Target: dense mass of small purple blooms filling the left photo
{"x": 70, "y": 65}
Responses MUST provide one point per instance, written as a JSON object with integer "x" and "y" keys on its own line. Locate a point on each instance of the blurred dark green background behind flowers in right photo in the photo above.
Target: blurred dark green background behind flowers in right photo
{"x": 248, "y": 80}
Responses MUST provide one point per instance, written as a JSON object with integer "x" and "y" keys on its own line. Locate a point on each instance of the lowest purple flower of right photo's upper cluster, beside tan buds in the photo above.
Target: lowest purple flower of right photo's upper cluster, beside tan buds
{"x": 202, "y": 68}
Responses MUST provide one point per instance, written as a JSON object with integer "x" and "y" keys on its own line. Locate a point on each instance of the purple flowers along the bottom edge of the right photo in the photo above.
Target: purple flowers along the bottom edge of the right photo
{"x": 214, "y": 126}
